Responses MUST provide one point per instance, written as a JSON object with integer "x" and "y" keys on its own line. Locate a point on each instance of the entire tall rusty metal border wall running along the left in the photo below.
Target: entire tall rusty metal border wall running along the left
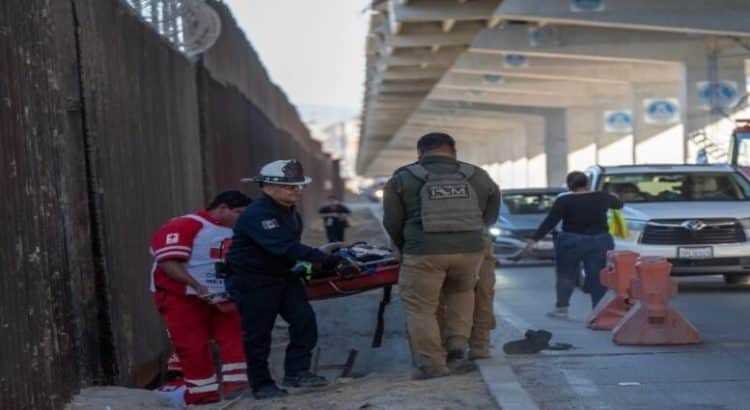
{"x": 105, "y": 132}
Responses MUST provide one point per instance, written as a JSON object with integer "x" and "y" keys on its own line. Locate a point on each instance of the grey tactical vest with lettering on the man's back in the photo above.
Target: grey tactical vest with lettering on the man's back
{"x": 448, "y": 202}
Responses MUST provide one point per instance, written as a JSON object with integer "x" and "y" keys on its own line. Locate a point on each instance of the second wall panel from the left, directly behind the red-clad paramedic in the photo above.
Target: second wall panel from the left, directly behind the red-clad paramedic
{"x": 142, "y": 119}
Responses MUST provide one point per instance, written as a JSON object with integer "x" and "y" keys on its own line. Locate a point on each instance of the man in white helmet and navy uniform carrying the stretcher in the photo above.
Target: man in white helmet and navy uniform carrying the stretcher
{"x": 265, "y": 246}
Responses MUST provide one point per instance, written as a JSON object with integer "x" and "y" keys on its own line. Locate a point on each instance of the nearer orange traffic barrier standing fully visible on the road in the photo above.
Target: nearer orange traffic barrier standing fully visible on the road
{"x": 651, "y": 321}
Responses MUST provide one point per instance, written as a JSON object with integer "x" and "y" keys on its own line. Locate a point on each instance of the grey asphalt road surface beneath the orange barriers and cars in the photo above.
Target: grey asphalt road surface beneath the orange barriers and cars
{"x": 598, "y": 374}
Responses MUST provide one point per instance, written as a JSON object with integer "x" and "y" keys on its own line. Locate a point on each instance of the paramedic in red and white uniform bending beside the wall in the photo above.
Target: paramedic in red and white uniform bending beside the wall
{"x": 191, "y": 298}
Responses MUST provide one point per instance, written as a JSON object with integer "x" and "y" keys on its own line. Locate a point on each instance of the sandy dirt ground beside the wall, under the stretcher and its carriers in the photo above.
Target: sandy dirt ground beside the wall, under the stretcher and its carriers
{"x": 380, "y": 378}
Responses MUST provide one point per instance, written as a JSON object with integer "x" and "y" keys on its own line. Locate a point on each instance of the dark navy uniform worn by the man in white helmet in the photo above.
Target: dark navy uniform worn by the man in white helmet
{"x": 265, "y": 246}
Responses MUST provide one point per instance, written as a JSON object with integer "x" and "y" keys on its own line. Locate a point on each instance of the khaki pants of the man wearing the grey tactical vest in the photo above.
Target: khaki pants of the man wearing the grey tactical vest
{"x": 422, "y": 280}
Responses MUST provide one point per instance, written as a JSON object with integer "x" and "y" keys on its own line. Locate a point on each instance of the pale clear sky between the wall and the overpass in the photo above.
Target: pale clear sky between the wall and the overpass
{"x": 313, "y": 49}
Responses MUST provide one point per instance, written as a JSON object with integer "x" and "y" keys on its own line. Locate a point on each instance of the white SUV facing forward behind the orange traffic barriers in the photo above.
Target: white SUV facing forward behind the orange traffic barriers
{"x": 697, "y": 216}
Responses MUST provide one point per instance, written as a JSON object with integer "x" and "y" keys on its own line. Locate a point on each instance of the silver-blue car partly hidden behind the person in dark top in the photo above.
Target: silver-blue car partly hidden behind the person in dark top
{"x": 521, "y": 212}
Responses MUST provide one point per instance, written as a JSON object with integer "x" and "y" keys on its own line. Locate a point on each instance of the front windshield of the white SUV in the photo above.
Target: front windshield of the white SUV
{"x": 667, "y": 187}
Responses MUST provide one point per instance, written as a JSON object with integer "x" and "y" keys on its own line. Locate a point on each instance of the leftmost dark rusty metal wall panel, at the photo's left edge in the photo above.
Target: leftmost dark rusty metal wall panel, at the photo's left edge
{"x": 45, "y": 255}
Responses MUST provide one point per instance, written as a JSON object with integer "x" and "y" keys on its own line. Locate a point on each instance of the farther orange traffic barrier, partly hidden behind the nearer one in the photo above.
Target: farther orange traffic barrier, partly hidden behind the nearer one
{"x": 617, "y": 301}
